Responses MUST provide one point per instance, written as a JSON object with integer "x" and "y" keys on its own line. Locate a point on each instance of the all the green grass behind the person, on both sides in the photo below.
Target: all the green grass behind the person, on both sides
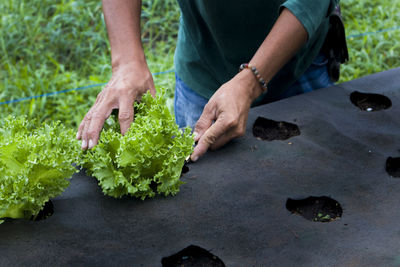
{"x": 47, "y": 46}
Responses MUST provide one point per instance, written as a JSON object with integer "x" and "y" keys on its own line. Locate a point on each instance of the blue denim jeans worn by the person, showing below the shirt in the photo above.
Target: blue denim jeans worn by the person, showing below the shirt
{"x": 188, "y": 105}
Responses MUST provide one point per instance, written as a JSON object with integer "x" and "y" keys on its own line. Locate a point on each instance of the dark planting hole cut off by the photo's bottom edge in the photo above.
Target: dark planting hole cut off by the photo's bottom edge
{"x": 192, "y": 256}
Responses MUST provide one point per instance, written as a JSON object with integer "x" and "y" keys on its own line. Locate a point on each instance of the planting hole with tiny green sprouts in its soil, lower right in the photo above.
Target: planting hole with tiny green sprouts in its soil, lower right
{"x": 316, "y": 209}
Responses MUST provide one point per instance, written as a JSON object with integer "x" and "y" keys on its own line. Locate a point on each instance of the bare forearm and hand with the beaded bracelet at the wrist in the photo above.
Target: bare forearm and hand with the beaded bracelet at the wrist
{"x": 225, "y": 115}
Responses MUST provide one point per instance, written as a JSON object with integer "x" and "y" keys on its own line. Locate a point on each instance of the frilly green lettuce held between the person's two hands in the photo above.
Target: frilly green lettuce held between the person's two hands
{"x": 148, "y": 159}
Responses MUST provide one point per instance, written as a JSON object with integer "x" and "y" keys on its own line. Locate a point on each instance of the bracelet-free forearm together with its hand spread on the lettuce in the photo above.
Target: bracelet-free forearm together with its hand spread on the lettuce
{"x": 131, "y": 77}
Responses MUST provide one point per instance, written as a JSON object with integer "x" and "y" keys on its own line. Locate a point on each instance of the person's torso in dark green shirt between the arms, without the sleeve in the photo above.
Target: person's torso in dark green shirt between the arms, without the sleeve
{"x": 217, "y": 36}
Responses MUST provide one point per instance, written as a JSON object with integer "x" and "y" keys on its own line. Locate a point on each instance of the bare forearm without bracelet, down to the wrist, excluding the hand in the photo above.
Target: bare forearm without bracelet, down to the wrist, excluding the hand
{"x": 123, "y": 26}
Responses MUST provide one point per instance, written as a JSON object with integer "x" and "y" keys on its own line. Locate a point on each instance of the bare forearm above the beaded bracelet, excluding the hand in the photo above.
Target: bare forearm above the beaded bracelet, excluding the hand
{"x": 286, "y": 37}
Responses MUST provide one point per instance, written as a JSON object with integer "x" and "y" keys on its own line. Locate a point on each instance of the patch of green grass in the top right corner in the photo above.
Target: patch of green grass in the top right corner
{"x": 372, "y": 53}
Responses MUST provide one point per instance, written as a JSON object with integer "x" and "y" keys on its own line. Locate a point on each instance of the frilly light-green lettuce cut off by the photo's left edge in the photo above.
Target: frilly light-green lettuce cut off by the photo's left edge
{"x": 35, "y": 165}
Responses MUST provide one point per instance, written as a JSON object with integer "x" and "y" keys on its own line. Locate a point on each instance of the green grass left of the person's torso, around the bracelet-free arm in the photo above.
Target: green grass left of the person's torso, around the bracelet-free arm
{"x": 48, "y": 46}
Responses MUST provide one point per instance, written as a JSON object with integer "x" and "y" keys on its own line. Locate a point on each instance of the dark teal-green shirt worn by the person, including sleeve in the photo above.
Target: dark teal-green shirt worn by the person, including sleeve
{"x": 216, "y": 36}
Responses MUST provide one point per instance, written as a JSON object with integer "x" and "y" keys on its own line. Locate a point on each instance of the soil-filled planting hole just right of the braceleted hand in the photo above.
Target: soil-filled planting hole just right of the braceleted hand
{"x": 270, "y": 130}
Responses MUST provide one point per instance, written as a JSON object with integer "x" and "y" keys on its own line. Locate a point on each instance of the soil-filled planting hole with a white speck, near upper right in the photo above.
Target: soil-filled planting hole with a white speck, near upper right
{"x": 370, "y": 102}
